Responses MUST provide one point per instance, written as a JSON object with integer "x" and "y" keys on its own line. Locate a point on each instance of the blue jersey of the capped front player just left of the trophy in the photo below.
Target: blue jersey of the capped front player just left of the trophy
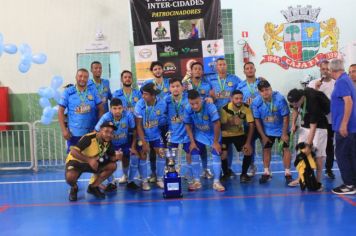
{"x": 153, "y": 117}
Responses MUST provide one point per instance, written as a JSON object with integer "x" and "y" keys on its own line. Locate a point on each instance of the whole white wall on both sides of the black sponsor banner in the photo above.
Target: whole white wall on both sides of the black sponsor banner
{"x": 62, "y": 28}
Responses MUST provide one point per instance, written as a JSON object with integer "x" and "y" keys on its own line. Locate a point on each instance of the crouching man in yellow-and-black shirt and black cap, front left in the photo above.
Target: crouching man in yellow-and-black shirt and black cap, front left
{"x": 95, "y": 154}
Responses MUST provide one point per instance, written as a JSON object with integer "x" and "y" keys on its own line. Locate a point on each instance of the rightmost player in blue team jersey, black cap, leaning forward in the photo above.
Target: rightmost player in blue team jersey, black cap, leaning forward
{"x": 271, "y": 113}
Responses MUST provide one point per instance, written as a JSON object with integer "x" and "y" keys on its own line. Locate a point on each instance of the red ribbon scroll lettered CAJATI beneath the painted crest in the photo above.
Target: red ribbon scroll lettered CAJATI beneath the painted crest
{"x": 286, "y": 62}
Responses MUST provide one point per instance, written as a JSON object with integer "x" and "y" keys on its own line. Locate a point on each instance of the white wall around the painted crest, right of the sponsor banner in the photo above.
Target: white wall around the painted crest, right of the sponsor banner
{"x": 252, "y": 15}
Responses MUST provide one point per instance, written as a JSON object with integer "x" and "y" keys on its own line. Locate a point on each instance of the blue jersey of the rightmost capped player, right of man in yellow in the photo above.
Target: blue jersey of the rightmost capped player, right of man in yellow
{"x": 271, "y": 113}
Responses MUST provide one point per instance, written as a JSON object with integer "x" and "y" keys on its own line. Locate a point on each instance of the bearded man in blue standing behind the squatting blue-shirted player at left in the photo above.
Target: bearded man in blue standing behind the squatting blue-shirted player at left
{"x": 129, "y": 97}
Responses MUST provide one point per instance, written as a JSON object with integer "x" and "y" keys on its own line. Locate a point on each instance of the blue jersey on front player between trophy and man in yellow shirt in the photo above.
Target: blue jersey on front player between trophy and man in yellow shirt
{"x": 202, "y": 122}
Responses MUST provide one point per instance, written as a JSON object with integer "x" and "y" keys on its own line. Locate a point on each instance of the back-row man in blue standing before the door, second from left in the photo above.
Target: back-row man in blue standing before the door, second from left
{"x": 102, "y": 85}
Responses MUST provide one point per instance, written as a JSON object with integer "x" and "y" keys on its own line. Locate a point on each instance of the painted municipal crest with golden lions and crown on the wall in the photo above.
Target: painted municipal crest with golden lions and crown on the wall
{"x": 304, "y": 40}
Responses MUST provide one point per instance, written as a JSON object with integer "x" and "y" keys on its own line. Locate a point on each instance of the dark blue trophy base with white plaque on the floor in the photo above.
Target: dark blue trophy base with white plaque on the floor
{"x": 172, "y": 185}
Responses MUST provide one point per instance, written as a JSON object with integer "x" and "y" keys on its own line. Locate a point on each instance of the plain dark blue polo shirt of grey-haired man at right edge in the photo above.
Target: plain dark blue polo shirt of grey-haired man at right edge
{"x": 343, "y": 88}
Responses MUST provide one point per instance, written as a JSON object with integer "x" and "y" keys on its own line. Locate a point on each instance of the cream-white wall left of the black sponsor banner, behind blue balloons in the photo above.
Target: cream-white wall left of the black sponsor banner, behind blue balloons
{"x": 60, "y": 29}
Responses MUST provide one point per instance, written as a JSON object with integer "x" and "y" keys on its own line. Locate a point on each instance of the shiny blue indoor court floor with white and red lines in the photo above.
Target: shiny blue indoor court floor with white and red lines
{"x": 37, "y": 204}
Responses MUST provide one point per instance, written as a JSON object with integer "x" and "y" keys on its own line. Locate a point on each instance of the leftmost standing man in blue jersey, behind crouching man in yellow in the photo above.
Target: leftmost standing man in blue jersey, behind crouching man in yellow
{"x": 84, "y": 108}
